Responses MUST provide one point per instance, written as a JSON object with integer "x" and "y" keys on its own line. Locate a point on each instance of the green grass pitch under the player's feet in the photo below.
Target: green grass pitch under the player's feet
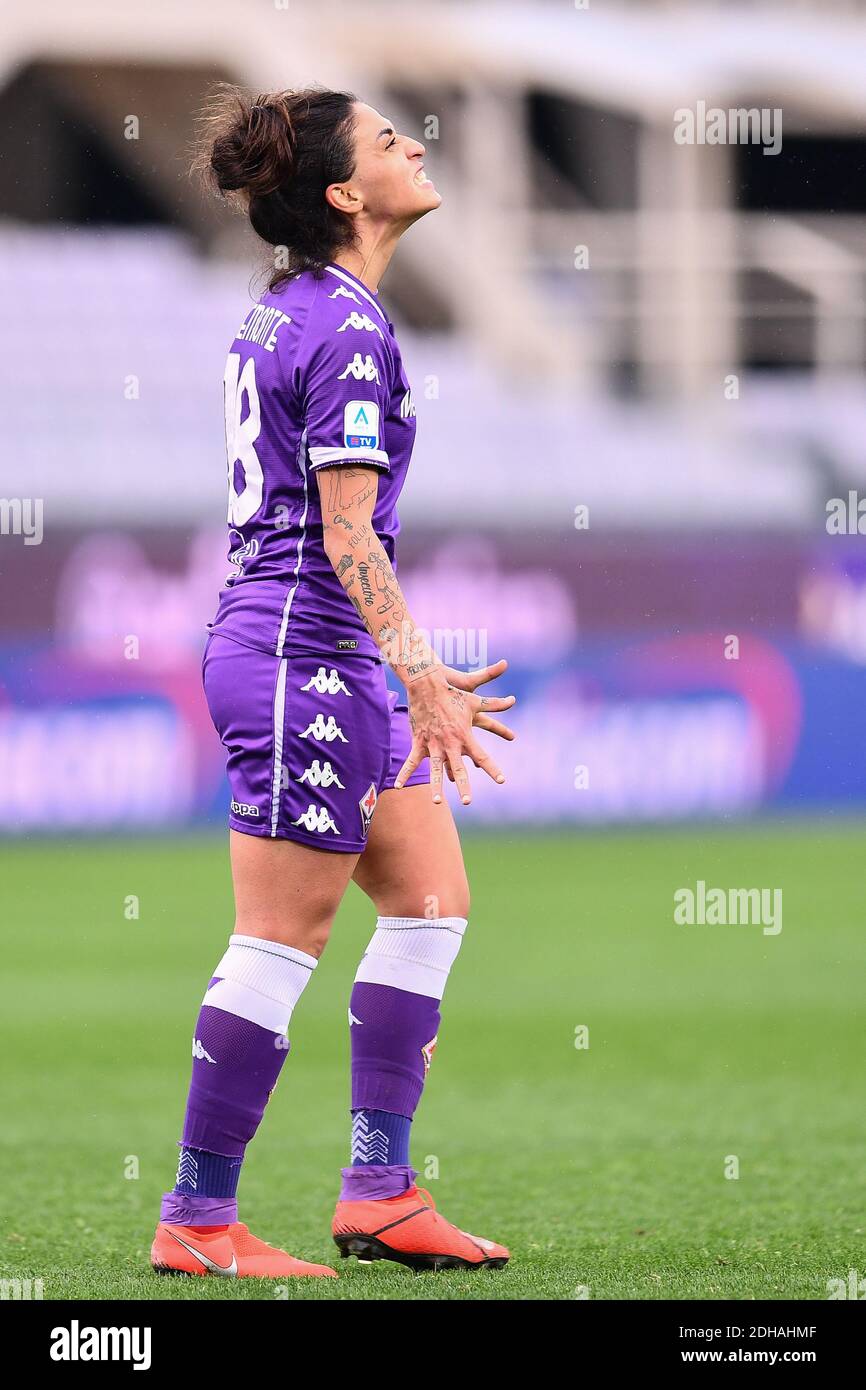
{"x": 603, "y": 1168}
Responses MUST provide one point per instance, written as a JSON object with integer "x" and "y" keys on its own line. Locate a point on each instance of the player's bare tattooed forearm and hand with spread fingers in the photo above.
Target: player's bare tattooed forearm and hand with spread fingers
{"x": 443, "y": 705}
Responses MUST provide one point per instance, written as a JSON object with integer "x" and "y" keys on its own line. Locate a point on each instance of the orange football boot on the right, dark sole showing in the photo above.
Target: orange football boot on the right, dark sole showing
{"x": 411, "y": 1231}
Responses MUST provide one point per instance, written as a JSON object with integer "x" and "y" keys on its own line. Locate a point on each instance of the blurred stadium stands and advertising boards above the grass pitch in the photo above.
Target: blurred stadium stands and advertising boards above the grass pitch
{"x": 669, "y": 337}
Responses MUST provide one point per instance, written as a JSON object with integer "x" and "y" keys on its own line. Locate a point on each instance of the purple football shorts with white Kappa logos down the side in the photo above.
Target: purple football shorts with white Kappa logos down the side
{"x": 312, "y": 742}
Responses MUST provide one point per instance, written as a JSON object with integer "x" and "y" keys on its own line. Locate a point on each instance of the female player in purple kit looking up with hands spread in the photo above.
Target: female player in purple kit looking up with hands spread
{"x": 332, "y": 775}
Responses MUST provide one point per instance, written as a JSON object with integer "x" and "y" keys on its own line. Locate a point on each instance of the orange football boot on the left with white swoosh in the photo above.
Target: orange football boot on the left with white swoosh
{"x": 229, "y": 1252}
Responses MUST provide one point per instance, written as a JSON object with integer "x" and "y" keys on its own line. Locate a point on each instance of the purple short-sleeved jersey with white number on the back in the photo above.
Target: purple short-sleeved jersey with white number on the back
{"x": 315, "y": 380}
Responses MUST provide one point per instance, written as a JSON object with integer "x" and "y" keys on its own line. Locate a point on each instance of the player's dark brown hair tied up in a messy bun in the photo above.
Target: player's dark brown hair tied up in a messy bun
{"x": 280, "y": 152}
